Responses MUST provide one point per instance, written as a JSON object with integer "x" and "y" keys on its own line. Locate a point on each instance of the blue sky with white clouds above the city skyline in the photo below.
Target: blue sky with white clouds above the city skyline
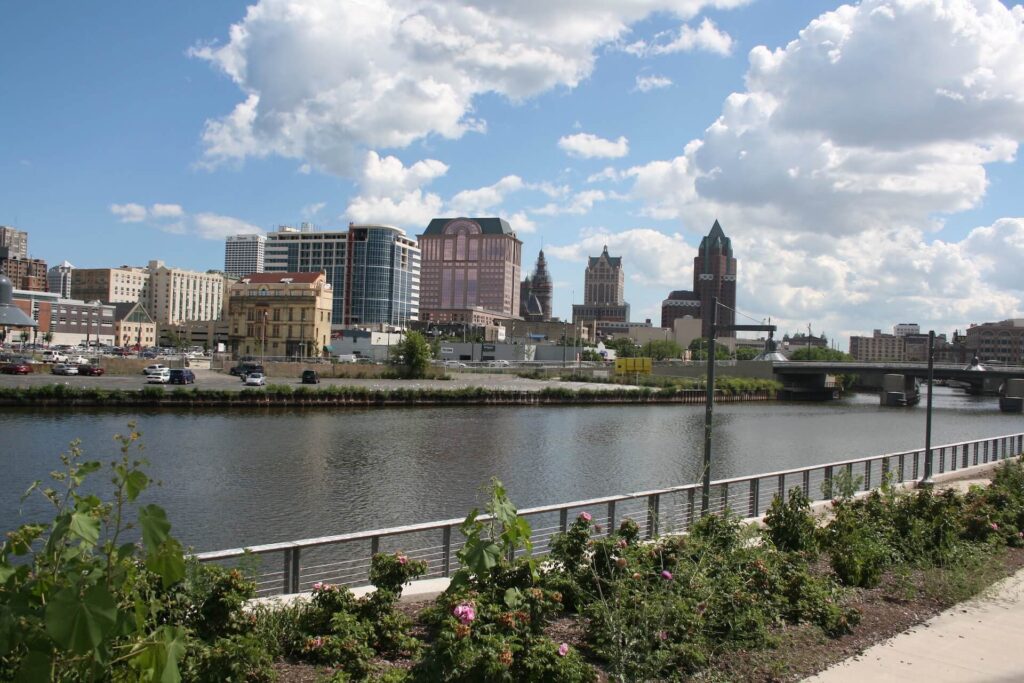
{"x": 863, "y": 157}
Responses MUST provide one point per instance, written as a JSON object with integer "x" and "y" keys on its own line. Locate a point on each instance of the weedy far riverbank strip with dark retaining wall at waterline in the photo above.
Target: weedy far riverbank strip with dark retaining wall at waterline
{"x": 60, "y": 395}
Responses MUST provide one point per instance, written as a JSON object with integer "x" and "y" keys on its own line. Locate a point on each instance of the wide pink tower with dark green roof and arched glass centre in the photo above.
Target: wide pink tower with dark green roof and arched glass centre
{"x": 472, "y": 271}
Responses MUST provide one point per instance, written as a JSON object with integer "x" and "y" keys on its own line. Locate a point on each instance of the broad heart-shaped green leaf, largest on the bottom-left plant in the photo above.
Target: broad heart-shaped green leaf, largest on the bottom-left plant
{"x": 78, "y": 623}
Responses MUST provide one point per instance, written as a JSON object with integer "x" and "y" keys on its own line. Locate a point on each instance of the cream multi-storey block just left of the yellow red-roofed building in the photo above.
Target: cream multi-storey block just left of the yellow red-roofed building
{"x": 175, "y": 296}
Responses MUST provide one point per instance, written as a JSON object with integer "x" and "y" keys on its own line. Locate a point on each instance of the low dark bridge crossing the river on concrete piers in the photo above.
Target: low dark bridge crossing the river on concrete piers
{"x": 899, "y": 381}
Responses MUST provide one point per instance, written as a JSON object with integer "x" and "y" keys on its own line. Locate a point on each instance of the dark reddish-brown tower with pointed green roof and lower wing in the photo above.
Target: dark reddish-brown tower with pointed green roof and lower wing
{"x": 714, "y": 276}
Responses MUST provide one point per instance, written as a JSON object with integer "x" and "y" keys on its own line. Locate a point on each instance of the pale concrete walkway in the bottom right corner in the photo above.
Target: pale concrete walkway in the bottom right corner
{"x": 978, "y": 642}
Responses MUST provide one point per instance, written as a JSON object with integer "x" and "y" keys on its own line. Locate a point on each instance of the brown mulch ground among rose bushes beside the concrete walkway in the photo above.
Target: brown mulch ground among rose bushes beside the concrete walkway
{"x": 899, "y": 605}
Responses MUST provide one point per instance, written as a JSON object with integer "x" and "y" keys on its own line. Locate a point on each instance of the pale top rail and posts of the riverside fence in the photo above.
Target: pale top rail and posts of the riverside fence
{"x": 727, "y": 490}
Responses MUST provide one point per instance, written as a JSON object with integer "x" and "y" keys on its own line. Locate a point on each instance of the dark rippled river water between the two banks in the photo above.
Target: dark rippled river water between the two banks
{"x": 252, "y": 477}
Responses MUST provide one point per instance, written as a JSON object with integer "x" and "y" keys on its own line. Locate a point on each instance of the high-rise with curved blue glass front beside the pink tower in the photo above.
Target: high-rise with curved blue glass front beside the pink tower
{"x": 373, "y": 271}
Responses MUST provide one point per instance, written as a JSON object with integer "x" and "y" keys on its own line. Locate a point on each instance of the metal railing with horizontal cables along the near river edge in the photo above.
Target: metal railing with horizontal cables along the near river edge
{"x": 346, "y": 559}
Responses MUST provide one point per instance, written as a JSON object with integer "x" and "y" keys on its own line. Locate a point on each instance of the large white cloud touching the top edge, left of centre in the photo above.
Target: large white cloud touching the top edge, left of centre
{"x": 325, "y": 80}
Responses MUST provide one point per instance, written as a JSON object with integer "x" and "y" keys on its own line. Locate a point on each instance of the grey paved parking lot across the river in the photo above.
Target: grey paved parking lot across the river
{"x": 207, "y": 379}
